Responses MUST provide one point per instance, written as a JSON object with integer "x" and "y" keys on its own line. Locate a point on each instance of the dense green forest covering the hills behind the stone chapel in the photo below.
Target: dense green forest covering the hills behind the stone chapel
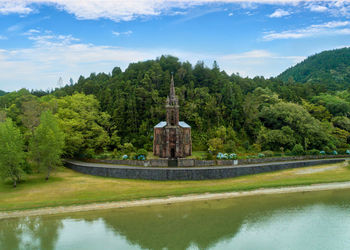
{"x": 306, "y": 108}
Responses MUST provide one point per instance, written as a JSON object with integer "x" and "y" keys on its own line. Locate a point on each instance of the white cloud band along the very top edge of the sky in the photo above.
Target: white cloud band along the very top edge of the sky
{"x": 118, "y": 10}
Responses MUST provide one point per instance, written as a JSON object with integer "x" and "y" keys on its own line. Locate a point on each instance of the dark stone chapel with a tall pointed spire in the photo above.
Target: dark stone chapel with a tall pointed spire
{"x": 172, "y": 138}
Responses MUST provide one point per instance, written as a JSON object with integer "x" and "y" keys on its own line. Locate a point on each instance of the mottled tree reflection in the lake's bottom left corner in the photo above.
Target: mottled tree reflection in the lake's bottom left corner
{"x": 38, "y": 232}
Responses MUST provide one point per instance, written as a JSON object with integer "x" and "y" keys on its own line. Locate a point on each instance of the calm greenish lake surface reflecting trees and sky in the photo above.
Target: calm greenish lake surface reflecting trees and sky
{"x": 314, "y": 220}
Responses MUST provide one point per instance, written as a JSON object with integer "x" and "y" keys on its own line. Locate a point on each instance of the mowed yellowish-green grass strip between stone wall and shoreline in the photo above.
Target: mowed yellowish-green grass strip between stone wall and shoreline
{"x": 67, "y": 187}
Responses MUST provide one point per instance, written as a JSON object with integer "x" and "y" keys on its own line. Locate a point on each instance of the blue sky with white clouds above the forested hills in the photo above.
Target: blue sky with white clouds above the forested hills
{"x": 43, "y": 40}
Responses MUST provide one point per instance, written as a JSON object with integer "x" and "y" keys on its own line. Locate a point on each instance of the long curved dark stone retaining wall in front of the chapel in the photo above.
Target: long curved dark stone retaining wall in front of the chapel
{"x": 201, "y": 173}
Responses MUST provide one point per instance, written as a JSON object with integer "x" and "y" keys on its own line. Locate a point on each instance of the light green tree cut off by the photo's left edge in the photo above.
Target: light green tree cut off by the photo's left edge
{"x": 11, "y": 152}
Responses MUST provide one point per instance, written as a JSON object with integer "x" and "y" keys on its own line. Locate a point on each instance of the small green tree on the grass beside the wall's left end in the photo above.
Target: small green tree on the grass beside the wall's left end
{"x": 46, "y": 146}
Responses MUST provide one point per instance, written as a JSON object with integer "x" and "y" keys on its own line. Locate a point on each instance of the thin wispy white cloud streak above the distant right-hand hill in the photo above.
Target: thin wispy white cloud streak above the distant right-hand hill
{"x": 329, "y": 28}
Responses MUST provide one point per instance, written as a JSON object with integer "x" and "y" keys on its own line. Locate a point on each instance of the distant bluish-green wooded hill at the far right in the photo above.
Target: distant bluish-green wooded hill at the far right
{"x": 331, "y": 68}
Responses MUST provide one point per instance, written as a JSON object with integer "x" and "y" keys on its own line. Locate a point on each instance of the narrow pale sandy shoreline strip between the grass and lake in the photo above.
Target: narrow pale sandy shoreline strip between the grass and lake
{"x": 170, "y": 200}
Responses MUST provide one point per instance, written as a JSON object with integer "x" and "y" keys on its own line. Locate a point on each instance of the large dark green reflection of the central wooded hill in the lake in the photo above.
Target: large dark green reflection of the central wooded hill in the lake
{"x": 201, "y": 224}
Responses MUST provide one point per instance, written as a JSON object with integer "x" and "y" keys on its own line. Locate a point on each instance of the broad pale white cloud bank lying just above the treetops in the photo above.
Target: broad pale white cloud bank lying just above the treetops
{"x": 53, "y": 56}
